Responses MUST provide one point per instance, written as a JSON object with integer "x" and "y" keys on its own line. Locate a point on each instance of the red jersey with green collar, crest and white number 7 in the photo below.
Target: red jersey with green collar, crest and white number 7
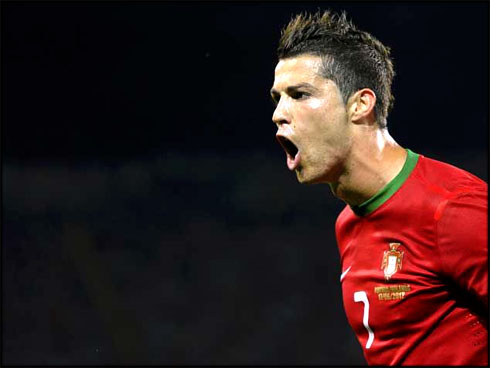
{"x": 415, "y": 271}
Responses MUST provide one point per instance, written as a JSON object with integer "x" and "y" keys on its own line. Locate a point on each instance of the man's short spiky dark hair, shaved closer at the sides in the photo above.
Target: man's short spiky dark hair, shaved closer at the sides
{"x": 352, "y": 58}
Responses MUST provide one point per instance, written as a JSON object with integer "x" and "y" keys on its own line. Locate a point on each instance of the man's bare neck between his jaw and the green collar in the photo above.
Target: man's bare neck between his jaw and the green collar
{"x": 375, "y": 160}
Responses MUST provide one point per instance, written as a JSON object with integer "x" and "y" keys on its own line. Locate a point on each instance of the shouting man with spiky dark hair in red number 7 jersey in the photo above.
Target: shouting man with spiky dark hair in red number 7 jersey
{"x": 413, "y": 235}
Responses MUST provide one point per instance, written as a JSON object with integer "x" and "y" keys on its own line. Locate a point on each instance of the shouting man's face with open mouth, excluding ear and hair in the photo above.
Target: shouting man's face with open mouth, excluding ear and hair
{"x": 312, "y": 121}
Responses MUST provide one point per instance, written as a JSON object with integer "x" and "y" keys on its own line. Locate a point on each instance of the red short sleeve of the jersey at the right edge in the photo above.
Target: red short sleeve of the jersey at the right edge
{"x": 462, "y": 240}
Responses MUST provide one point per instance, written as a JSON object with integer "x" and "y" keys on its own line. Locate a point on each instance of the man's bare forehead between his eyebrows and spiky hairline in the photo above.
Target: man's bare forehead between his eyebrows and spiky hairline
{"x": 295, "y": 70}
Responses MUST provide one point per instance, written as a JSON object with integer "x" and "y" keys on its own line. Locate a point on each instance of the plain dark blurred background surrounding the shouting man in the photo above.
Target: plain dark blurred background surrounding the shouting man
{"x": 148, "y": 213}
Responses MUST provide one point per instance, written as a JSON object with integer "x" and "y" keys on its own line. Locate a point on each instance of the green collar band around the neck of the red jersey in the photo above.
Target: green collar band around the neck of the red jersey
{"x": 385, "y": 193}
